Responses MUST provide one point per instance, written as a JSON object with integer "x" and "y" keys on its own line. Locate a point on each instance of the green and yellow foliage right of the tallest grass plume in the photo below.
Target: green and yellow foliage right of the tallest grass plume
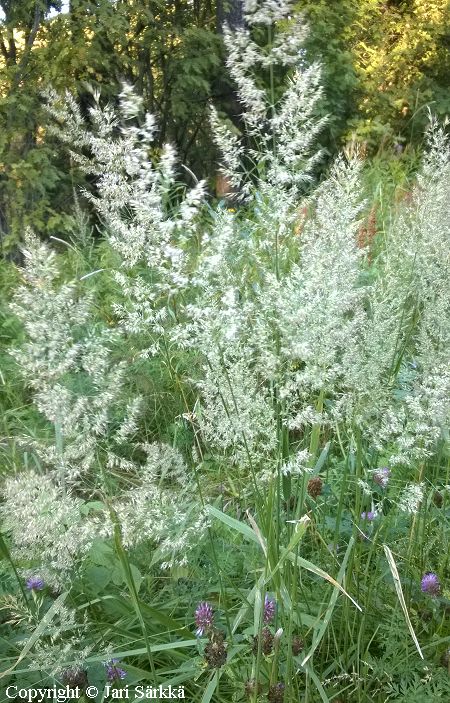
{"x": 384, "y": 64}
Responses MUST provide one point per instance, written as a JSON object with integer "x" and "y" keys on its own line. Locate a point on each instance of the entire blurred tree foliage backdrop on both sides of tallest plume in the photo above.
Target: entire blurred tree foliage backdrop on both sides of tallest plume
{"x": 383, "y": 64}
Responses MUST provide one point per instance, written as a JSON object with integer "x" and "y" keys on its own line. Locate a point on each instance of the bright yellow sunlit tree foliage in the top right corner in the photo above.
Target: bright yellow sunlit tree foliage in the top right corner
{"x": 402, "y": 63}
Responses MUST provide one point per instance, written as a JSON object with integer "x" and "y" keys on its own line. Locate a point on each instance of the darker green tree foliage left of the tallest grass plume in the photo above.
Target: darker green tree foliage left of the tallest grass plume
{"x": 169, "y": 51}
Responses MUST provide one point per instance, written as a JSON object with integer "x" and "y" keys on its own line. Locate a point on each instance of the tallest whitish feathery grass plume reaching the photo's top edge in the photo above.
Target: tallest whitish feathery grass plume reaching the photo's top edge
{"x": 282, "y": 150}
